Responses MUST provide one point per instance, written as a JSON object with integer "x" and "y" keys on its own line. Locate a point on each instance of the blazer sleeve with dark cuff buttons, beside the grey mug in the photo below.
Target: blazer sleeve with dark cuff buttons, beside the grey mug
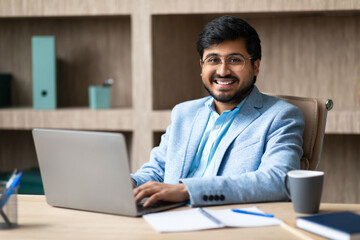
{"x": 282, "y": 152}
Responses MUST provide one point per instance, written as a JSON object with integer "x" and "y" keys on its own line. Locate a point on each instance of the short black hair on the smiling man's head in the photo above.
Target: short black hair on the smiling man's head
{"x": 229, "y": 28}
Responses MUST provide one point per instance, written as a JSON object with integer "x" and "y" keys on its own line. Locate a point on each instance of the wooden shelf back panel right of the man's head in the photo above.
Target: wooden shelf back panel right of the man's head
{"x": 315, "y": 56}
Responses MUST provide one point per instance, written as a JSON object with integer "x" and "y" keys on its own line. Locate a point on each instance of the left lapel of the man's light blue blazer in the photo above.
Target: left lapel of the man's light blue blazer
{"x": 196, "y": 133}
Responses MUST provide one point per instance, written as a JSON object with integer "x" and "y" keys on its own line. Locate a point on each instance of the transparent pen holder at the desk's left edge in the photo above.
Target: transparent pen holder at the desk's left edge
{"x": 8, "y": 213}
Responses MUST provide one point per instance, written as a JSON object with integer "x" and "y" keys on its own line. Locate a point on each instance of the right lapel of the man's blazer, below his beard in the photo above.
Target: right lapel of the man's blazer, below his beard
{"x": 248, "y": 113}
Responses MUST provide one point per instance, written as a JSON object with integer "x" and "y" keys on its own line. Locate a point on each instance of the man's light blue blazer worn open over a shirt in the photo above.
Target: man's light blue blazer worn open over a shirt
{"x": 263, "y": 143}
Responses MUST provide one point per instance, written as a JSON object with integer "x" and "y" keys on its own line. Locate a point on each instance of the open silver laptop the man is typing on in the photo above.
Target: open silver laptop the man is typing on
{"x": 88, "y": 171}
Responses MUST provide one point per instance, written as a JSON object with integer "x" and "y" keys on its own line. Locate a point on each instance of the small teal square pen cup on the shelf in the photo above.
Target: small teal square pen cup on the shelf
{"x": 100, "y": 96}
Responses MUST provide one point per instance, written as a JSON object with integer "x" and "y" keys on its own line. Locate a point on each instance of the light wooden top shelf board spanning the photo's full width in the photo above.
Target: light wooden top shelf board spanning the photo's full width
{"x": 48, "y": 8}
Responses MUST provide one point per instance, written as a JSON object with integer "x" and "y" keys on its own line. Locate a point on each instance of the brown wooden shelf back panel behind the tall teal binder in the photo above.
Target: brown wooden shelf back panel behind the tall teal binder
{"x": 88, "y": 52}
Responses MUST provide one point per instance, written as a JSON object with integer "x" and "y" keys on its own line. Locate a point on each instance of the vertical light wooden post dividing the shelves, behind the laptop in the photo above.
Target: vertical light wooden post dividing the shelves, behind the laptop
{"x": 142, "y": 90}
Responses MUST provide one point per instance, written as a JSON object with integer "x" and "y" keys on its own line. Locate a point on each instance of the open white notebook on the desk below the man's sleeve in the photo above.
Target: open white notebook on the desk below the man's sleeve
{"x": 195, "y": 219}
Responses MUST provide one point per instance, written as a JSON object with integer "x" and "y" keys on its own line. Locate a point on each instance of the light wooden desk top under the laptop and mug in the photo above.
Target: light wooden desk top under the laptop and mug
{"x": 37, "y": 220}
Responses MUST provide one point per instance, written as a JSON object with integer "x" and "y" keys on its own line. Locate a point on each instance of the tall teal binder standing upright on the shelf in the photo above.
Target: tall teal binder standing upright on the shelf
{"x": 44, "y": 72}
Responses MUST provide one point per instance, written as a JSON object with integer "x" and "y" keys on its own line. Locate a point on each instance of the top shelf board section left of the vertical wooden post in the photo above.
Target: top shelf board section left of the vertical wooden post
{"x": 30, "y": 8}
